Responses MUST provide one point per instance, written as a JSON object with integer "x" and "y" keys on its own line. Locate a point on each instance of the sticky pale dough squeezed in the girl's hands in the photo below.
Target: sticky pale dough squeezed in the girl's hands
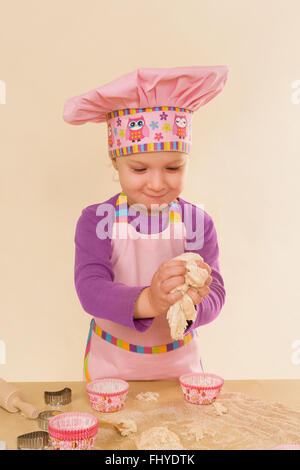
{"x": 184, "y": 308}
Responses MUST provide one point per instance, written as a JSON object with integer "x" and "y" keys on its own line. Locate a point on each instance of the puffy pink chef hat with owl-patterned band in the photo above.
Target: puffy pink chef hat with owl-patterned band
{"x": 149, "y": 109}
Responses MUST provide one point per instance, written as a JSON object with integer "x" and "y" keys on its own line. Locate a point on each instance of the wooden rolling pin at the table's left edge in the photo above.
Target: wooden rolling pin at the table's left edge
{"x": 12, "y": 400}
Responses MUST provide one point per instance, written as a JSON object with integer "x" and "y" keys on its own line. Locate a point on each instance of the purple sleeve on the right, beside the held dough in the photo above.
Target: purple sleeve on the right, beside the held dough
{"x": 203, "y": 231}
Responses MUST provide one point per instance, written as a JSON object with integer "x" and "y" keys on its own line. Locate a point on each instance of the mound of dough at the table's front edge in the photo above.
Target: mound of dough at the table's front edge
{"x": 159, "y": 438}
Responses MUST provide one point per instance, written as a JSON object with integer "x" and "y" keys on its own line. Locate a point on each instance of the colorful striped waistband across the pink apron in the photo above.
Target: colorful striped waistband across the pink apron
{"x": 141, "y": 349}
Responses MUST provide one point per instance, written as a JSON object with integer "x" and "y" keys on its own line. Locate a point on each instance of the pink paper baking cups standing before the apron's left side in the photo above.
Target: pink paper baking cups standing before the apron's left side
{"x": 107, "y": 395}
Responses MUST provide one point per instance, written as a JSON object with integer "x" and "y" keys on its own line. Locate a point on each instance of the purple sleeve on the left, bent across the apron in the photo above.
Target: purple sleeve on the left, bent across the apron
{"x": 99, "y": 295}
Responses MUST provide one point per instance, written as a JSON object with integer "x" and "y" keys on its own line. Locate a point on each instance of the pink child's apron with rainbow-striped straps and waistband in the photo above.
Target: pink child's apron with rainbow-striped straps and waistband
{"x": 114, "y": 350}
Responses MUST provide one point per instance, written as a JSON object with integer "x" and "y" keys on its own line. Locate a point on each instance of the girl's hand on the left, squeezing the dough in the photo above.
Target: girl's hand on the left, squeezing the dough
{"x": 169, "y": 275}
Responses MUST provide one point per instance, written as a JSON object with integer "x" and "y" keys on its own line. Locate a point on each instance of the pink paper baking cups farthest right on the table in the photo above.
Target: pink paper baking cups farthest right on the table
{"x": 201, "y": 389}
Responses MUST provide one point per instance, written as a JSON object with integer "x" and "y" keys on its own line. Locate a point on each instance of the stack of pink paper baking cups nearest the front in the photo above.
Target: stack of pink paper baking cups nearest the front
{"x": 73, "y": 431}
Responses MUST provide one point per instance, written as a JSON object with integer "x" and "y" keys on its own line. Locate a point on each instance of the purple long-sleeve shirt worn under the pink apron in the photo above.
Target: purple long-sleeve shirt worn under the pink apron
{"x": 101, "y": 297}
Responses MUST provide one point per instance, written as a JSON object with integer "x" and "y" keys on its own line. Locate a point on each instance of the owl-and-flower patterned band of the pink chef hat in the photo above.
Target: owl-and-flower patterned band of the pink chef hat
{"x": 157, "y": 129}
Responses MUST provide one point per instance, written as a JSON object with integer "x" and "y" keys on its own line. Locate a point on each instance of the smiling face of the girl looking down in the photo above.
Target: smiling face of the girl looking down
{"x": 155, "y": 178}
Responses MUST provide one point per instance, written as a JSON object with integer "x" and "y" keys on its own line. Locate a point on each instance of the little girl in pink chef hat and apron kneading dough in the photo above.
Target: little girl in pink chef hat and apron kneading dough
{"x": 124, "y": 266}
